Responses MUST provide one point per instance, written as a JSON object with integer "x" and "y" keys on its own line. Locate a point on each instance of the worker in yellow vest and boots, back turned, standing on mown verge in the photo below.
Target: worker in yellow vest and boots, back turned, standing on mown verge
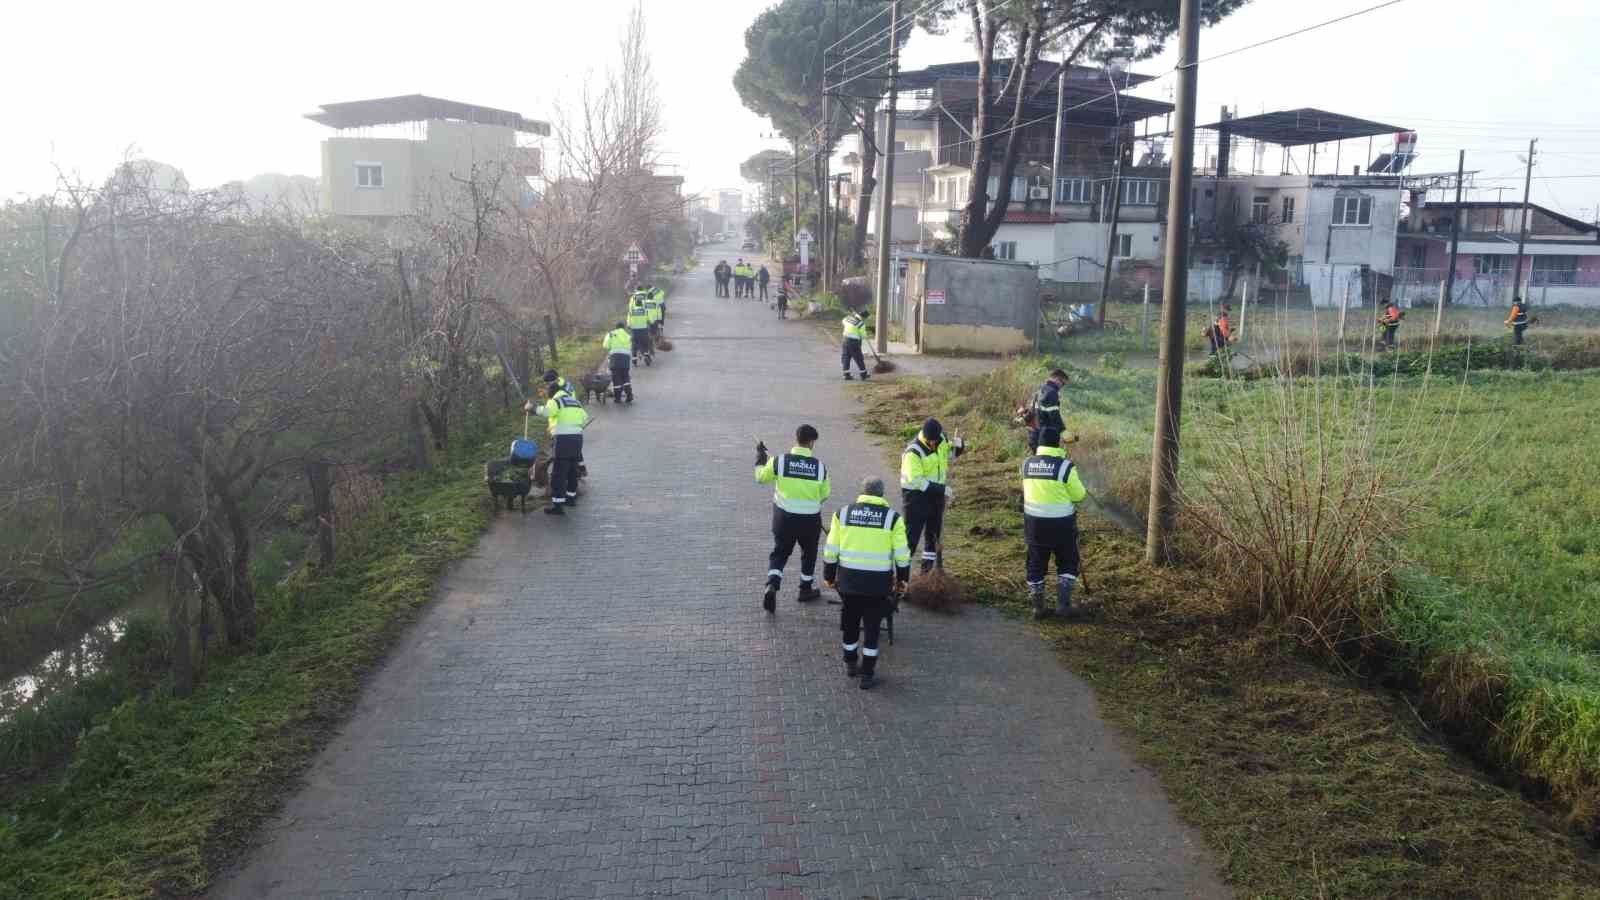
{"x": 1050, "y": 523}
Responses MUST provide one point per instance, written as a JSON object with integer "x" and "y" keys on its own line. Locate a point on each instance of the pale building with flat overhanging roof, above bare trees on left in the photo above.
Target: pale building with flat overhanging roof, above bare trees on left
{"x": 402, "y": 156}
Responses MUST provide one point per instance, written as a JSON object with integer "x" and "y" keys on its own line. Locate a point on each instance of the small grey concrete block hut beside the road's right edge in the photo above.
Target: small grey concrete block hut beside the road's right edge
{"x": 988, "y": 307}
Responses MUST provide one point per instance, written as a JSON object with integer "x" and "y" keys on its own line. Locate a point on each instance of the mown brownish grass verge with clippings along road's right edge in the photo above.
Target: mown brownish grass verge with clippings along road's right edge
{"x": 1306, "y": 782}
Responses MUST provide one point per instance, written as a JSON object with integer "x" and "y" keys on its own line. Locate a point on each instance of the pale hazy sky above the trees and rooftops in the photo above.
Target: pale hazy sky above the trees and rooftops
{"x": 220, "y": 89}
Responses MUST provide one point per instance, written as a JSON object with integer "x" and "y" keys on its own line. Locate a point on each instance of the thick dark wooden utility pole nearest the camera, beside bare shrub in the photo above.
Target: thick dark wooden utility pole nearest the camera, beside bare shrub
{"x": 1175, "y": 292}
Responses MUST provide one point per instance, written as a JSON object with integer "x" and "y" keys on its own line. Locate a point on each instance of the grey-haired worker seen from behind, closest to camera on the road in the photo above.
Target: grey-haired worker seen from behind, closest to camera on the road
{"x": 866, "y": 560}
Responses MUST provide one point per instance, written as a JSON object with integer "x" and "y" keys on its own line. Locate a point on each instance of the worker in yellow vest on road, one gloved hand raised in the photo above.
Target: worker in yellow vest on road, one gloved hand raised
{"x": 799, "y": 491}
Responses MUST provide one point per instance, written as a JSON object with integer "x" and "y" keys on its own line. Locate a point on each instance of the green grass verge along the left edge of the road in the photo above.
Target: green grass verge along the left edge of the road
{"x": 162, "y": 790}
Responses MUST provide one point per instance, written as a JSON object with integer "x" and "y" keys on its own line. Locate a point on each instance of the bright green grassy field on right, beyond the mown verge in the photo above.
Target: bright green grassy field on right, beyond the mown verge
{"x": 1497, "y": 606}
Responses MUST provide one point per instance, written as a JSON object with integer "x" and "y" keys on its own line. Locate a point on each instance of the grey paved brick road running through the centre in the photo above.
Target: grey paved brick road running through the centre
{"x": 598, "y": 707}
